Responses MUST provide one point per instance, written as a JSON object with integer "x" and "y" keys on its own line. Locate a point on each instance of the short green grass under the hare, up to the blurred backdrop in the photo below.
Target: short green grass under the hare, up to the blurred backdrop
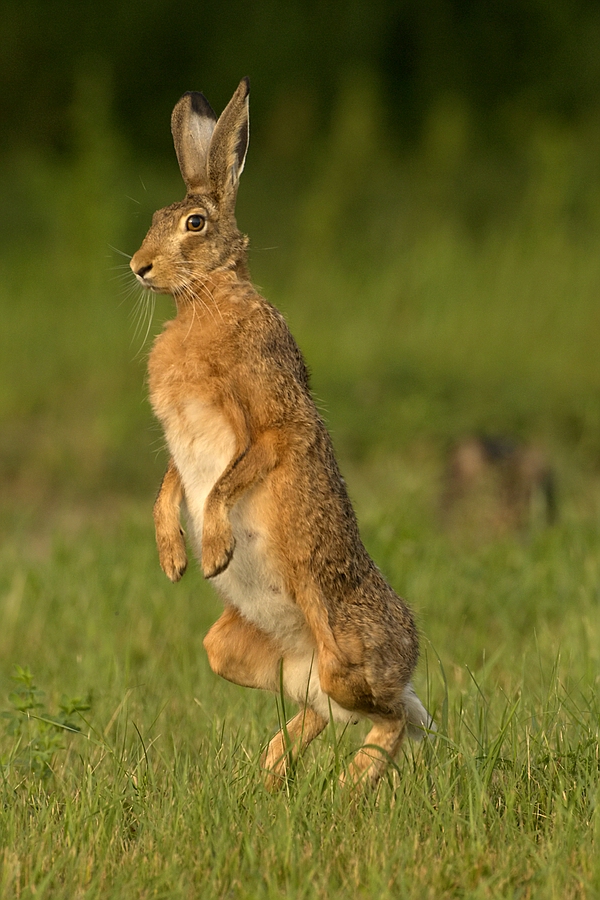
{"x": 160, "y": 793}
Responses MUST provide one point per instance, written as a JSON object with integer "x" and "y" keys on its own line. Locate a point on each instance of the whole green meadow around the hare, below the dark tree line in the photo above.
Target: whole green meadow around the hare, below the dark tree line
{"x": 128, "y": 768}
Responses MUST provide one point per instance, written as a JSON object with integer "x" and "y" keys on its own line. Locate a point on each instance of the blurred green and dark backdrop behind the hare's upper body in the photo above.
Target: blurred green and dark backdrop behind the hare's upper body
{"x": 422, "y": 195}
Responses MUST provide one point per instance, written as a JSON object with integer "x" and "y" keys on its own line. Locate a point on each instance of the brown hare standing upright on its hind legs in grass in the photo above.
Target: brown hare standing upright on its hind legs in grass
{"x": 253, "y": 465}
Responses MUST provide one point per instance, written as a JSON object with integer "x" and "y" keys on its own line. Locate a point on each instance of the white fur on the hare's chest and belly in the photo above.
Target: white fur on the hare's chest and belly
{"x": 202, "y": 444}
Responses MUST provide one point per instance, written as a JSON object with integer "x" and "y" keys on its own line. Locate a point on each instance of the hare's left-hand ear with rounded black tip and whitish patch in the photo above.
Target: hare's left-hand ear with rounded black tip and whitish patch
{"x": 192, "y": 124}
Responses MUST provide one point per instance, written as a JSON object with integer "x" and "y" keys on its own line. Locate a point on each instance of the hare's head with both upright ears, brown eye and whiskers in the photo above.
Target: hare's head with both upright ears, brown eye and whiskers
{"x": 189, "y": 240}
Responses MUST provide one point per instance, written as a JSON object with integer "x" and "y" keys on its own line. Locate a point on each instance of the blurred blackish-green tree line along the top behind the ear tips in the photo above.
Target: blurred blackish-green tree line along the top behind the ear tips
{"x": 541, "y": 55}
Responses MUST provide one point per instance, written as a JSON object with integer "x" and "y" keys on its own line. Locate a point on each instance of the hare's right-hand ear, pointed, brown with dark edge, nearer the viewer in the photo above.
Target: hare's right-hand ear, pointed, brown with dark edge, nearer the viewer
{"x": 229, "y": 144}
